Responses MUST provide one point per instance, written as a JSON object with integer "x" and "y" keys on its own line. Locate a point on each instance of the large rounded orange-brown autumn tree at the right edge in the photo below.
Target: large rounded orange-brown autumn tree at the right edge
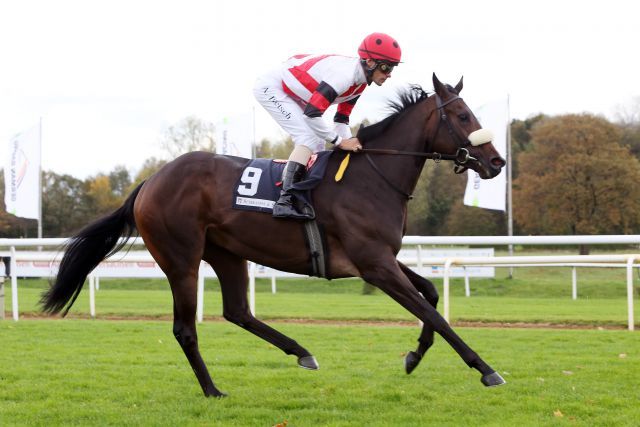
{"x": 577, "y": 179}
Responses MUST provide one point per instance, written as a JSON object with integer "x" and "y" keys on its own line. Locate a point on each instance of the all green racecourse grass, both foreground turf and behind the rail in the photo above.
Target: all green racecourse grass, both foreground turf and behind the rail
{"x": 132, "y": 372}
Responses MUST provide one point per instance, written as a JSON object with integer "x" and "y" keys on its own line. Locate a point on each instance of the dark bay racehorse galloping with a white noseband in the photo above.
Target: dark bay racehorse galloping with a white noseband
{"x": 184, "y": 215}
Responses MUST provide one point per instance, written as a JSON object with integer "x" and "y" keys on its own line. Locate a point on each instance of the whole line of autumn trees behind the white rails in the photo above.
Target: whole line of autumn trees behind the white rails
{"x": 572, "y": 174}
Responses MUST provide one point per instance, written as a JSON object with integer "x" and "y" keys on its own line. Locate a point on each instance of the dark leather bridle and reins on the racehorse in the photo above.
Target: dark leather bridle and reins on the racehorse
{"x": 460, "y": 158}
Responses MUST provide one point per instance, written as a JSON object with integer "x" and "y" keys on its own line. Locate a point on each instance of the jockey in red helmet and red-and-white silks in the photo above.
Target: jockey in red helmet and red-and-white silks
{"x": 297, "y": 94}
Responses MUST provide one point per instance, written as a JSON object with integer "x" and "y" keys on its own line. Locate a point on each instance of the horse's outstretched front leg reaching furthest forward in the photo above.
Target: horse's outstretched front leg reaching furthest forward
{"x": 387, "y": 275}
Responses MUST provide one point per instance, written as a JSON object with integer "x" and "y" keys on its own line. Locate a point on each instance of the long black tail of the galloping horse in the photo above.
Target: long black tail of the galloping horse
{"x": 84, "y": 251}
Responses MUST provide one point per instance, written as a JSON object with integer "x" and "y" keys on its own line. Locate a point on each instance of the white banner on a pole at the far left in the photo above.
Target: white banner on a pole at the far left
{"x": 22, "y": 174}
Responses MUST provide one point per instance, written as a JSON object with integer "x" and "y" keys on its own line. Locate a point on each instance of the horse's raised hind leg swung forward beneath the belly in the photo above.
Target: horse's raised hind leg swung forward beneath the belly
{"x": 232, "y": 273}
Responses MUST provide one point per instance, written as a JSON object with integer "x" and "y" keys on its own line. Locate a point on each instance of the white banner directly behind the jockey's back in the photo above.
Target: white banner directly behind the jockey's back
{"x": 234, "y": 135}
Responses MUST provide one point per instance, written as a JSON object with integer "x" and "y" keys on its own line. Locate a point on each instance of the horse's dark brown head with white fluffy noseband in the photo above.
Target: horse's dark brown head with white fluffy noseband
{"x": 458, "y": 131}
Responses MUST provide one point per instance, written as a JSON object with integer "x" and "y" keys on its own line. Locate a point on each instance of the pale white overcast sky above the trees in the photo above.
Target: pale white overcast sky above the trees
{"x": 107, "y": 77}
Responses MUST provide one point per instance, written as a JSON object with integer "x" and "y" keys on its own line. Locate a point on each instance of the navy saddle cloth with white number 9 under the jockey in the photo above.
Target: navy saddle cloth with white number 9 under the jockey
{"x": 257, "y": 188}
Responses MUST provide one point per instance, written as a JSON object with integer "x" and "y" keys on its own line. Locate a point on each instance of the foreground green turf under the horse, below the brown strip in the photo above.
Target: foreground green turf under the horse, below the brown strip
{"x": 82, "y": 372}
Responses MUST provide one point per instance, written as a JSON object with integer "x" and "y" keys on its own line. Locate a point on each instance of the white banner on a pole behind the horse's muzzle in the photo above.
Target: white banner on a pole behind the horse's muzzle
{"x": 490, "y": 193}
